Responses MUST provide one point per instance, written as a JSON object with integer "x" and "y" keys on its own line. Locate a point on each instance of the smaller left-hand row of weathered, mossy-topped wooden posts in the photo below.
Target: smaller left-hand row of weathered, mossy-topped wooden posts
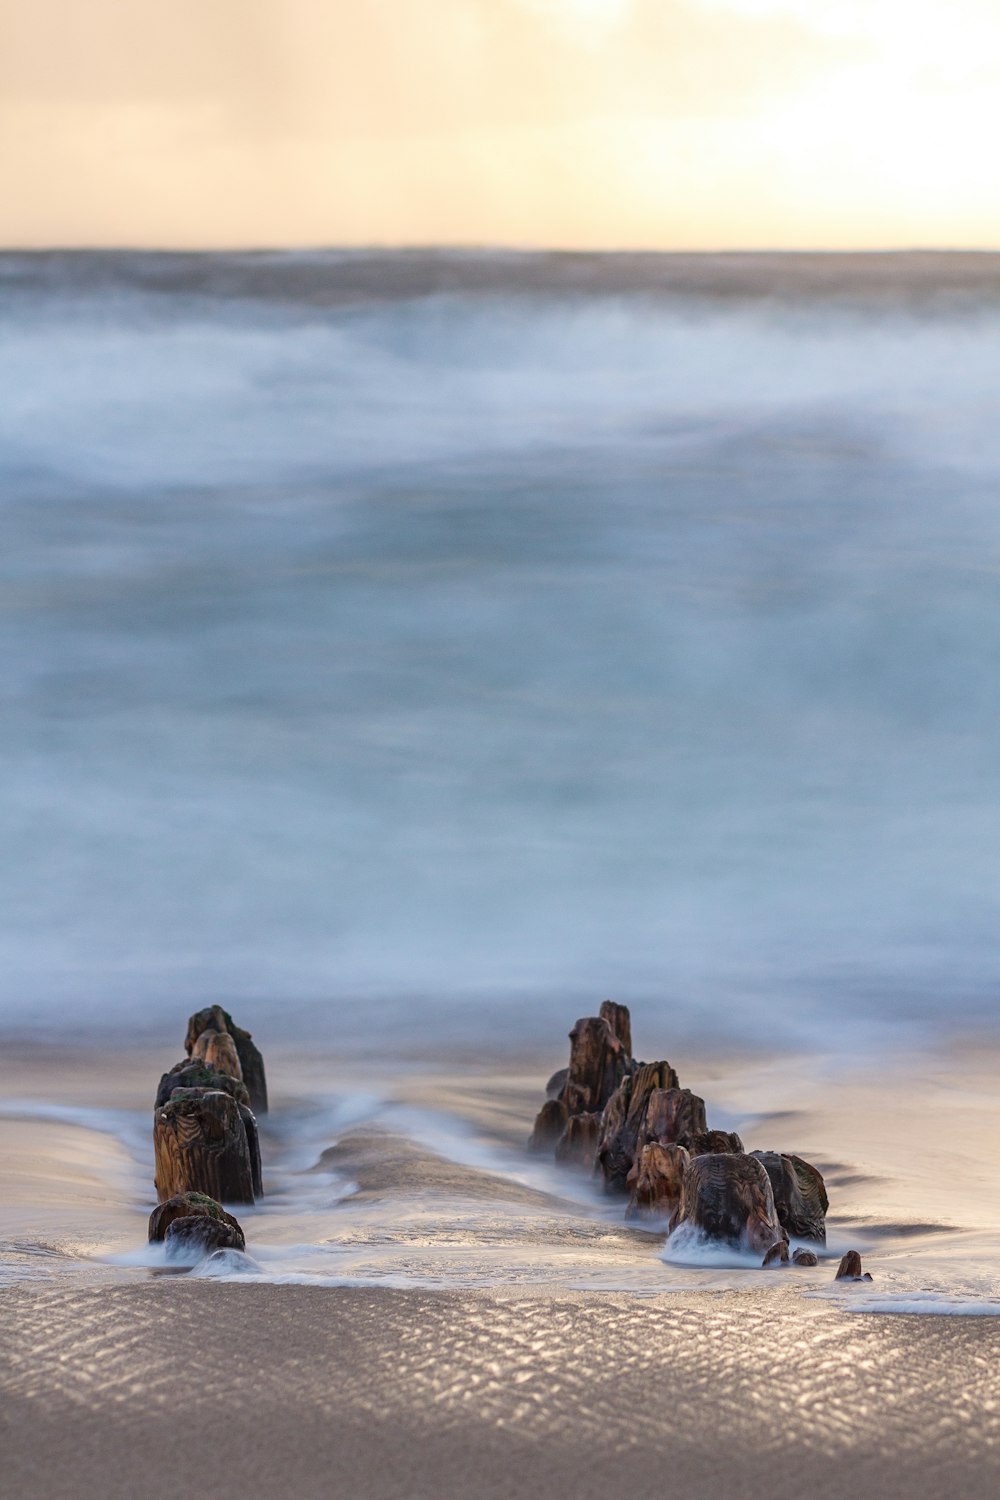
{"x": 206, "y": 1141}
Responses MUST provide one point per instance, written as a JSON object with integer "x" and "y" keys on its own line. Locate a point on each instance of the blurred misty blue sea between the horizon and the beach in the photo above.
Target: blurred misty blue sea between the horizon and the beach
{"x": 455, "y": 655}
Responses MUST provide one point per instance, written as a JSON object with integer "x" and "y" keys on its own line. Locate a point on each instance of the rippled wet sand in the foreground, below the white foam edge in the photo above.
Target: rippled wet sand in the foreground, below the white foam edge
{"x": 302, "y": 1393}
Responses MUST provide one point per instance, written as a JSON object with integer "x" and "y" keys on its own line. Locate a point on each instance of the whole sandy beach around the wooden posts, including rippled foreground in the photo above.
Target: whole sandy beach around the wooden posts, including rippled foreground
{"x": 440, "y": 1316}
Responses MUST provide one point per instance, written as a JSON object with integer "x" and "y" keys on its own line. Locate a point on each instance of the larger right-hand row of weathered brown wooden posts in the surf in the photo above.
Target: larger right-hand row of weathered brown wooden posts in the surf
{"x": 645, "y": 1138}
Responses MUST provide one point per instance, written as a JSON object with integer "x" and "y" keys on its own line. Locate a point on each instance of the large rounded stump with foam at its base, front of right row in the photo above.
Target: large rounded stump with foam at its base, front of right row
{"x": 728, "y": 1198}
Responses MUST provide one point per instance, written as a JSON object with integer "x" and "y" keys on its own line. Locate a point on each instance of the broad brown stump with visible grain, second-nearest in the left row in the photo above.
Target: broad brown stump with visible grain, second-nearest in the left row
{"x": 202, "y": 1147}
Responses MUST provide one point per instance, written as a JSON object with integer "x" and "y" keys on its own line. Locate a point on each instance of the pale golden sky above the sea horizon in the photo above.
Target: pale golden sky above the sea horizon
{"x": 596, "y": 124}
